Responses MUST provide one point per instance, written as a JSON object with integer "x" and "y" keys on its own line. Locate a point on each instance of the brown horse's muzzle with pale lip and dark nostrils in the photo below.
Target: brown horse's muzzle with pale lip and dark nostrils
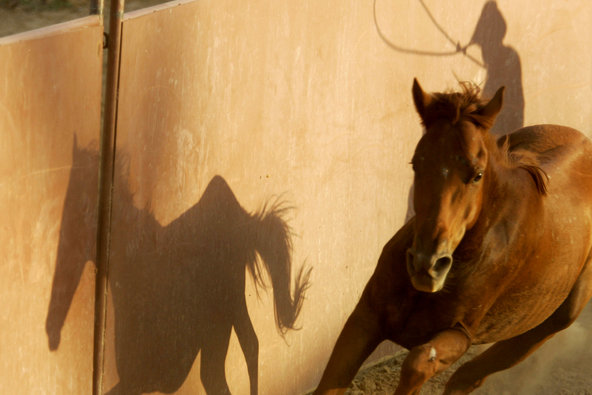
{"x": 428, "y": 272}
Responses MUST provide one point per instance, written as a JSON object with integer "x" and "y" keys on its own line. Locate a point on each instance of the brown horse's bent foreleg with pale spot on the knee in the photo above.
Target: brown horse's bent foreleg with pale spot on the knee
{"x": 428, "y": 359}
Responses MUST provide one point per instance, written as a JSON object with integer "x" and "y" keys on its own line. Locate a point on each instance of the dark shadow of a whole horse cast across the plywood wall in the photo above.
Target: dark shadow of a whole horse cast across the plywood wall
{"x": 176, "y": 289}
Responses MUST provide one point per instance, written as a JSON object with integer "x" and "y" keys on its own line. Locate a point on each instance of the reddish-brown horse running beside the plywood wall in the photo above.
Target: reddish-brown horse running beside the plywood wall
{"x": 499, "y": 250}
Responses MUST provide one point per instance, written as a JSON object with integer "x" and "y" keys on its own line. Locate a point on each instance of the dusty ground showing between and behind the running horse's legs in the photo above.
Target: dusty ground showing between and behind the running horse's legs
{"x": 562, "y": 366}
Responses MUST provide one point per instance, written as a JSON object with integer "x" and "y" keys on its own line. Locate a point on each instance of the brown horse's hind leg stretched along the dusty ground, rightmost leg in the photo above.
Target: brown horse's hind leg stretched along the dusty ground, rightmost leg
{"x": 507, "y": 353}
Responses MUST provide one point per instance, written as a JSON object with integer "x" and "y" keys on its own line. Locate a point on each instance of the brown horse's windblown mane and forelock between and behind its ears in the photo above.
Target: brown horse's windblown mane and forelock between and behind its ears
{"x": 455, "y": 106}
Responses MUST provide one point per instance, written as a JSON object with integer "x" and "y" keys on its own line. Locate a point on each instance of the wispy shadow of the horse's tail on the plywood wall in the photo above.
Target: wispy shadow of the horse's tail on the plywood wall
{"x": 274, "y": 245}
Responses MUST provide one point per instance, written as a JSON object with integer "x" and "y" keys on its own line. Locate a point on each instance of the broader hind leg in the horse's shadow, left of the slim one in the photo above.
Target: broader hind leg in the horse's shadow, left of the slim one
{"x": 213, "y": 356}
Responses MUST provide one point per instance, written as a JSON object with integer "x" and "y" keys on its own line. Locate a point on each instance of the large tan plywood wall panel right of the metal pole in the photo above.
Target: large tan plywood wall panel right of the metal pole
{"x": 229, "y": 107}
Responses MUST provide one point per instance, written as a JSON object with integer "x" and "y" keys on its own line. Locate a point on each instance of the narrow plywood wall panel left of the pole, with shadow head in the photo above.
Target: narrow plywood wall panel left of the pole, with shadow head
{"x": 50, "y": 103}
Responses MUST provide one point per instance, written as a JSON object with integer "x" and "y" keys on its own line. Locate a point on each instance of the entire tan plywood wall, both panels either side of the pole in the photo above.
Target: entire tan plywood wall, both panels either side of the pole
{"x": 252, "y": 133}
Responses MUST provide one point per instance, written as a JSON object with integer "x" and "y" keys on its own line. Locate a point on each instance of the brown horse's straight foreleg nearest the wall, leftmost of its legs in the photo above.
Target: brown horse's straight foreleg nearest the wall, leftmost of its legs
{"x": 359, "y": 337}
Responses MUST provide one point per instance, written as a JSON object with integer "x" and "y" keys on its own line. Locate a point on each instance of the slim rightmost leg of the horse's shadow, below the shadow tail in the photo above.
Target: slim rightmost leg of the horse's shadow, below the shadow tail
{"x": 249, "y": 343}
